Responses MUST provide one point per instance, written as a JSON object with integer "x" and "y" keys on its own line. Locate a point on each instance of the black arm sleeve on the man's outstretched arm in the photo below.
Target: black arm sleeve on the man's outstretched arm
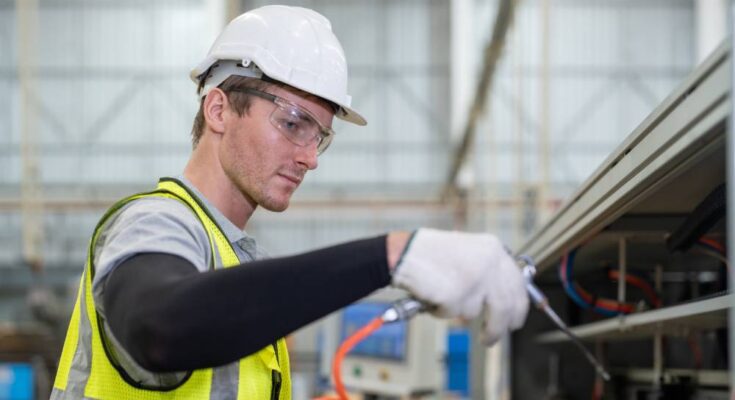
{"x": 171, "y": 317}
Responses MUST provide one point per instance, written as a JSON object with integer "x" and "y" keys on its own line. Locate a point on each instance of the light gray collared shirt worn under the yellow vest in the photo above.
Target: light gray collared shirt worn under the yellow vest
{"x": 160, "y": 225}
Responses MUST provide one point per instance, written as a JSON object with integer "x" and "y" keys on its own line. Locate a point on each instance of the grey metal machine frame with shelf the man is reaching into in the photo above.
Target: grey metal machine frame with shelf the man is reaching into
{"x": 659, "y": 174}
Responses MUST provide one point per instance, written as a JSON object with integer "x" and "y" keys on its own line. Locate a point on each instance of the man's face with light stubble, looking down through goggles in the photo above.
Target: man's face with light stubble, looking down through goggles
{"x": 259, "y": 160}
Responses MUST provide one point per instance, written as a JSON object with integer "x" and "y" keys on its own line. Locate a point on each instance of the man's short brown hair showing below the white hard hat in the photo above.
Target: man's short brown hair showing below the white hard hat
{"x": 239, "y": 102}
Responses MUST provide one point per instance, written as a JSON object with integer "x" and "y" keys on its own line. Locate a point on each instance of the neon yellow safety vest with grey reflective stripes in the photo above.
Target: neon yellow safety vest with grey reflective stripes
{"x": 85, "y": 369}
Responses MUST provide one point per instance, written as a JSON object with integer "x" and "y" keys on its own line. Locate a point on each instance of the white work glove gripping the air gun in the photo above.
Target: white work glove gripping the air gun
{"x": 460, "y": 272}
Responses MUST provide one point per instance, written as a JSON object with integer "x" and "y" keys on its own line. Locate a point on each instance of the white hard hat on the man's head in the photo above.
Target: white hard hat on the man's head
{"x": 292, "y": 45}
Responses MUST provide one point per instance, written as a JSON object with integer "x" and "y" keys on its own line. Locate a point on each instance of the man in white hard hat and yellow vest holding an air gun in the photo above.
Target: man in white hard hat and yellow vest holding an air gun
{"x": 161, "y": 315}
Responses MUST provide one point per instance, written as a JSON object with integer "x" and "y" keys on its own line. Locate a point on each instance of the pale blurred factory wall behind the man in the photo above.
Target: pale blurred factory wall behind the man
{"x": 113, "y": 107}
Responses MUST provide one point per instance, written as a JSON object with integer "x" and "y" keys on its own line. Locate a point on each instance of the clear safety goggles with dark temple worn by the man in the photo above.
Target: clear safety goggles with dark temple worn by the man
{"x": 296, "y": 123}
